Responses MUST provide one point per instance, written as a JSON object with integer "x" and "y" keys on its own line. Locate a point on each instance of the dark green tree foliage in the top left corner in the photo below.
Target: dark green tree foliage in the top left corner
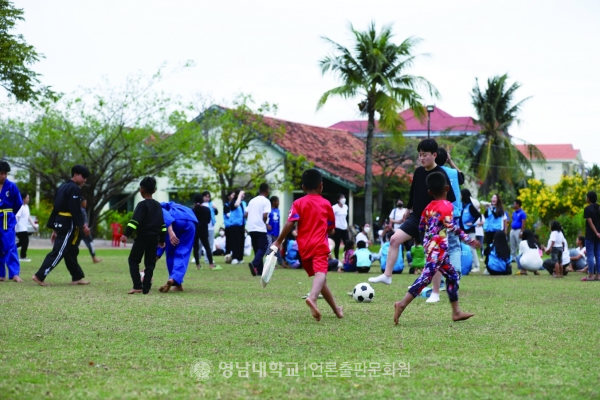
{"x": 16, "y": 56}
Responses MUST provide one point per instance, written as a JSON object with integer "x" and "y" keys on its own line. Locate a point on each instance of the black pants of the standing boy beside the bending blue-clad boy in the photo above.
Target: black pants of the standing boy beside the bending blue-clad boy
{"x": 144, "y": 246}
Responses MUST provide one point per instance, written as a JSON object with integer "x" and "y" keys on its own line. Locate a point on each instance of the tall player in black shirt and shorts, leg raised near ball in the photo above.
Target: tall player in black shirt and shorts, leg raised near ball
{"x": 419, "y": 199}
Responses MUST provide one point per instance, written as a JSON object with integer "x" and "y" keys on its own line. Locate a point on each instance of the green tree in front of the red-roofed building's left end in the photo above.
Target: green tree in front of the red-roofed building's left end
{"x": 228, "y": 151}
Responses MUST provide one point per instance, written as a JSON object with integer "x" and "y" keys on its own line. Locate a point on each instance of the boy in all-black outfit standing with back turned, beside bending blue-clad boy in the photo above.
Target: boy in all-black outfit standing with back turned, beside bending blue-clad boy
{"x": 151, "y": 231}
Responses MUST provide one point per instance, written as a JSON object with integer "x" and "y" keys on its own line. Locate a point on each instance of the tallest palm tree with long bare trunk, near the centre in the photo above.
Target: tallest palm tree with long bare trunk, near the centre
{"x": 375, "y": 72}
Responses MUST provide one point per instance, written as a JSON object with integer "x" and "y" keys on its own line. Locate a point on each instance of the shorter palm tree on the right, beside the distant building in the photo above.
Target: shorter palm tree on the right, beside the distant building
{"x": 495, "y": 160}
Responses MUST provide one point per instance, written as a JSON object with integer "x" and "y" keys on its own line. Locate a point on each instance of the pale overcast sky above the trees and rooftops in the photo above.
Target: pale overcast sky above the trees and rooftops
{"x": 270, "y": 49}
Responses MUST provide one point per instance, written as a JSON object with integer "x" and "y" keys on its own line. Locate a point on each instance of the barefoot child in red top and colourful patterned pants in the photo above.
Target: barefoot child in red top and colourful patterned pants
{"x": 436, "y": 221}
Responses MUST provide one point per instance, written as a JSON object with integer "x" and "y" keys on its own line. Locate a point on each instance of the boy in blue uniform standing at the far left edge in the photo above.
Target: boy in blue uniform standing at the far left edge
{"x": 10, "y": 204}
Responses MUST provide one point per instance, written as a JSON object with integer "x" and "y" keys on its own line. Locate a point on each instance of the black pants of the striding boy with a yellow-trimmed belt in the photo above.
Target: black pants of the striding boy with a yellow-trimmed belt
{"x": 66, "y": 245}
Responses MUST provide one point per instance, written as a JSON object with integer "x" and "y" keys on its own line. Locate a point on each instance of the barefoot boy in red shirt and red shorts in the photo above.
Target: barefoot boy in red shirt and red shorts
{"x": 315, "y": 221}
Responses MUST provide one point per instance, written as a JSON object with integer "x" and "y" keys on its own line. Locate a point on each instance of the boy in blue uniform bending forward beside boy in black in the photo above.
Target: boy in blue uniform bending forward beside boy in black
{"x": 181, "y": 228}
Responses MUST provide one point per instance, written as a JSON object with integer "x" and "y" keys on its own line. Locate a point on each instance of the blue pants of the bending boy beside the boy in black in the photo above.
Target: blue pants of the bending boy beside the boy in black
{"x": 178, "y": 257}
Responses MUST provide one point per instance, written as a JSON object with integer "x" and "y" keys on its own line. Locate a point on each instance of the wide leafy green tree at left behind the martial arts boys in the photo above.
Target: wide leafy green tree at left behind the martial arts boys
{"x": 115, "y": 135}
